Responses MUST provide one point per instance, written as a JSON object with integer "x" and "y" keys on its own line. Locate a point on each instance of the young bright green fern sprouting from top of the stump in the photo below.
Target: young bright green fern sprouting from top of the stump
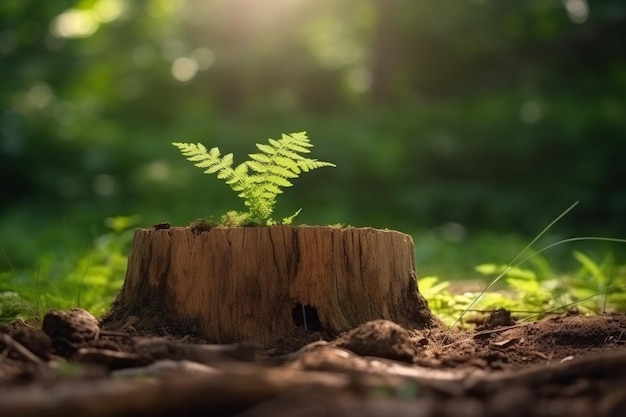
{"x": 258, "y": 180}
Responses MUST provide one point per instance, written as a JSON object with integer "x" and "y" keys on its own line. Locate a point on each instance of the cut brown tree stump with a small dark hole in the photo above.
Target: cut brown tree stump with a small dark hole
{"x": 263, "y": 284}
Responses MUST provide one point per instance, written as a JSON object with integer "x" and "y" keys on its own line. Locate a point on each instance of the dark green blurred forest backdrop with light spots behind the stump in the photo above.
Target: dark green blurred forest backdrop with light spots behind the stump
{"x": 457, "y": 121}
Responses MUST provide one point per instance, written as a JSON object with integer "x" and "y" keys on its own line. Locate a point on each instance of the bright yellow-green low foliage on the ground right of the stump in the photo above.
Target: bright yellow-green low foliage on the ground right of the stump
{"x": 531, "y": 292}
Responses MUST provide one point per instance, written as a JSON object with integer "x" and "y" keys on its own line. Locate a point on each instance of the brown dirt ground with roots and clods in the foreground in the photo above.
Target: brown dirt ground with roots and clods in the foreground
{"x": 565, "y": 366}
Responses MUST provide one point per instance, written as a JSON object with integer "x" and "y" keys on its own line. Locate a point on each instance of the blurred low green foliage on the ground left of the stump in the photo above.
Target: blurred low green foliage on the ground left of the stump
{"x": 89, "y": 279}
